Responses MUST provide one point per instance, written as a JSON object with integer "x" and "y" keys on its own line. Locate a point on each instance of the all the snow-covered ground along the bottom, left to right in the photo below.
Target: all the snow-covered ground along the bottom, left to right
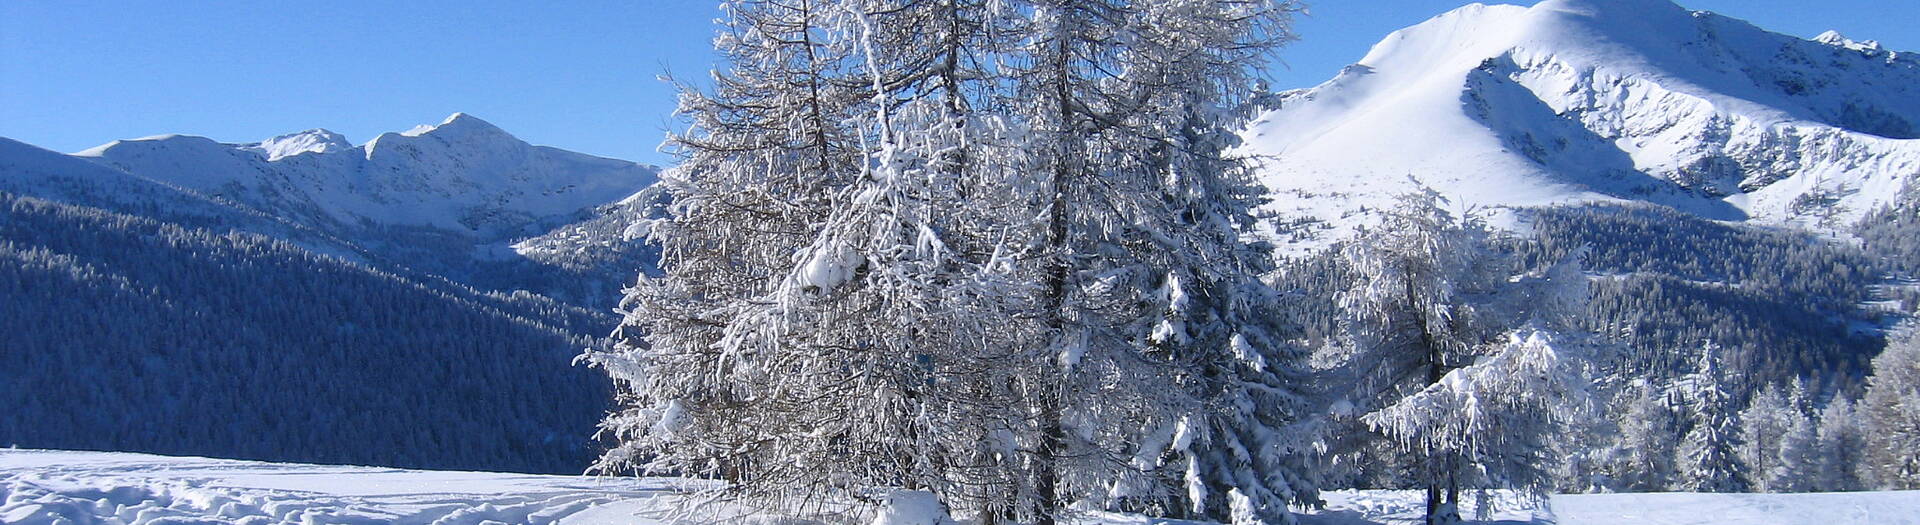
{"x": 139, "y": 489}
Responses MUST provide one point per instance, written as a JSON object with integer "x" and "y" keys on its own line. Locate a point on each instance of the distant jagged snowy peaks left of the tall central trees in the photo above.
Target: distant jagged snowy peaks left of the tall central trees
{"x": 460, "y": 176}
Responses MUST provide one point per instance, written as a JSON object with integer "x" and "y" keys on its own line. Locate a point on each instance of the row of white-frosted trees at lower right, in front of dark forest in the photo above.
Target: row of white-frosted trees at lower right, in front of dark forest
{"x": 1689, "y": 434}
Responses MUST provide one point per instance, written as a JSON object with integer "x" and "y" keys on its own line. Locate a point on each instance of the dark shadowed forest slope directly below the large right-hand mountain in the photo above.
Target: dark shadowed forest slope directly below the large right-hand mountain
{"x": 1781, "y": 303}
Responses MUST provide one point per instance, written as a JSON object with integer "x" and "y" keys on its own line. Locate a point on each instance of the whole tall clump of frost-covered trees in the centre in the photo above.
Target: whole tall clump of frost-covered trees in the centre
{"x": 992, "y": 251}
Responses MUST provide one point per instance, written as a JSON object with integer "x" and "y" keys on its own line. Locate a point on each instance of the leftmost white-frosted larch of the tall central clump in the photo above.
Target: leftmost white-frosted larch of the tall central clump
{"x": 709, "y": 378}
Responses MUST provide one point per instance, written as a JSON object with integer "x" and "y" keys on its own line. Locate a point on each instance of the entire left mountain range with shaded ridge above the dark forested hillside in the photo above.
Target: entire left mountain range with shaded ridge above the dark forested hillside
{"x": 462, "y": 201}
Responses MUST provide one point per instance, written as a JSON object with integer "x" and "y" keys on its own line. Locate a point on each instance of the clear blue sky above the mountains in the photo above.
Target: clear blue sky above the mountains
{"x": 579, "y": 76}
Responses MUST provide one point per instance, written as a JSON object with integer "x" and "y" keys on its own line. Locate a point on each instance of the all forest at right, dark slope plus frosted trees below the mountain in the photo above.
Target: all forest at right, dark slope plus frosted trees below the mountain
{"x": 1731, "y": 359}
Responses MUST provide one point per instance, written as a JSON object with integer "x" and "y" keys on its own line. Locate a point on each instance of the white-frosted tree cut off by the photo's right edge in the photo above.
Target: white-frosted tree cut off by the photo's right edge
{"x": 1892, "y": 416}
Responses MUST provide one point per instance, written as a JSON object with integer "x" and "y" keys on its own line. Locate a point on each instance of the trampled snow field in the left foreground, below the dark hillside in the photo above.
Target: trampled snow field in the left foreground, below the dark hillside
{"x": 108, "y": 487}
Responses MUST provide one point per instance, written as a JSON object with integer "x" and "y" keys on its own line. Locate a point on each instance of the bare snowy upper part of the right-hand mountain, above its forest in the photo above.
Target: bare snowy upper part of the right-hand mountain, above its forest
{"x": 1577, "y": 101}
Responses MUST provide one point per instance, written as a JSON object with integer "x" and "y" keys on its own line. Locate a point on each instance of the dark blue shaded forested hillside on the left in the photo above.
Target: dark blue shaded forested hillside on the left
{"x": 130, "y": 334}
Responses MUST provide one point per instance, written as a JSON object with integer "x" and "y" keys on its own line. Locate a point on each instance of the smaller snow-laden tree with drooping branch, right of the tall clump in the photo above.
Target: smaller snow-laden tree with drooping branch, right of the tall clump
{"x": 1454, "y": 359}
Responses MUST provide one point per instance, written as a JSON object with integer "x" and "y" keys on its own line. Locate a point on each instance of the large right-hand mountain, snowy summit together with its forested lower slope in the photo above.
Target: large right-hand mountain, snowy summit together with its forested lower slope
{"x": 1716, "y": 176}
